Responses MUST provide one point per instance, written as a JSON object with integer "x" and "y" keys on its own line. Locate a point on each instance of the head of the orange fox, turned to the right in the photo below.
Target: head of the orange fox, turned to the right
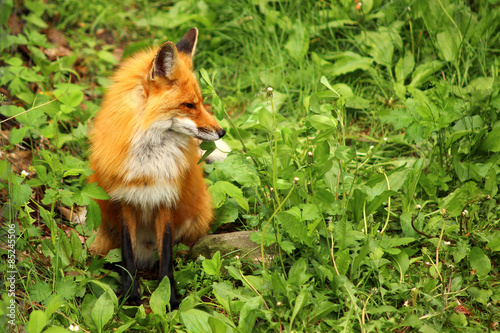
{"x": 172, "y": 94}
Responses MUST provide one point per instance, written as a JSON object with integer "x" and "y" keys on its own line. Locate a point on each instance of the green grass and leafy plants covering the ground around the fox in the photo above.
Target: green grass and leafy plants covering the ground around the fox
{"x": 382, "y": 121}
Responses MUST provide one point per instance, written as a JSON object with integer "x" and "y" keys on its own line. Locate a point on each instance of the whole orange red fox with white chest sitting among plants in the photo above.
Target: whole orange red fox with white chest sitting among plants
{"x": 145, "y": 156}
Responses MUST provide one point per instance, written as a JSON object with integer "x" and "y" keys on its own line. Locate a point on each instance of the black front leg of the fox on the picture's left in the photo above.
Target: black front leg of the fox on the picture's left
{"x": 130, "y": 284}
